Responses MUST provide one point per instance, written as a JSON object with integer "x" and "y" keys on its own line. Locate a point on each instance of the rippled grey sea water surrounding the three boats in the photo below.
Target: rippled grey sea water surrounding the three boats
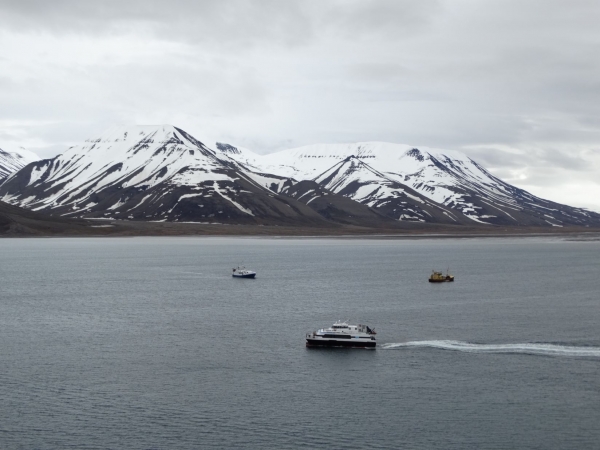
{"x": 148, "y": 343}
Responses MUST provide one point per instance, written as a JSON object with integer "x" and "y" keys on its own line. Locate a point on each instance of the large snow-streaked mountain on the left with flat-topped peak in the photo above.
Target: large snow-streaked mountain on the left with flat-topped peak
{"x": 156, "y": 173}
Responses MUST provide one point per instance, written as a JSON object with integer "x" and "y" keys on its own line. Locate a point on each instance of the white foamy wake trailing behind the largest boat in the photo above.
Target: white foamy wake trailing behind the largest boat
{"x": 526, "y": 348}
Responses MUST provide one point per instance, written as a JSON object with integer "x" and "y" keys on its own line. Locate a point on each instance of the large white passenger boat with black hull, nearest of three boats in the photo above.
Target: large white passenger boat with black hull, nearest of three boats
{"x": 340, "y": 334}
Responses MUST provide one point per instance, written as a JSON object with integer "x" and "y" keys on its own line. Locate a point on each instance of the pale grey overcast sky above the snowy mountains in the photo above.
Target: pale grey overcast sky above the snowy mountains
{"x": 513, "y": 84}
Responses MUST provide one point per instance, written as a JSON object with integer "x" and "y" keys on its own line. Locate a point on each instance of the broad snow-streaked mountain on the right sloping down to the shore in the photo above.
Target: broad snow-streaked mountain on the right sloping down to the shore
{"x": 410, "y": 184}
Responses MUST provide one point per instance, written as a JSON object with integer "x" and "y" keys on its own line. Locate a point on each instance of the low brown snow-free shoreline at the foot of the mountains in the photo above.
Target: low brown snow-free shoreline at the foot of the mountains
{"x": 18, "y": 222}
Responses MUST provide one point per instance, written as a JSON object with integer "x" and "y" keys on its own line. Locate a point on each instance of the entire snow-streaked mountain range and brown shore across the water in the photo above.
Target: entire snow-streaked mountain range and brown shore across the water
{"x": 146, "y": 179}
